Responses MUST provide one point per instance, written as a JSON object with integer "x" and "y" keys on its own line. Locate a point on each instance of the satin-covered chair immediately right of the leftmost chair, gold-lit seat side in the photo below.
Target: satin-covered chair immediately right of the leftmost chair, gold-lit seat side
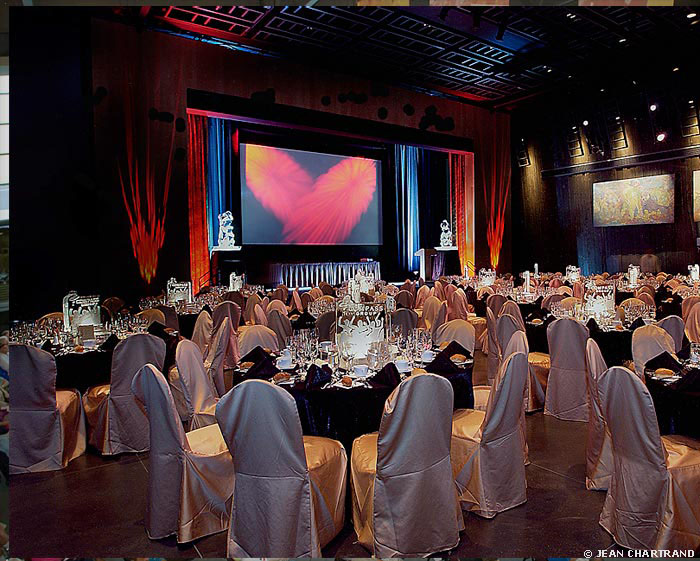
{"x": 116, "y": 421}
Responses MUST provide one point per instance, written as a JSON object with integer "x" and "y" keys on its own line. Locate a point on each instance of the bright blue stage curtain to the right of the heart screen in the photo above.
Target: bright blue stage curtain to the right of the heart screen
{"x": 407, "y": 232}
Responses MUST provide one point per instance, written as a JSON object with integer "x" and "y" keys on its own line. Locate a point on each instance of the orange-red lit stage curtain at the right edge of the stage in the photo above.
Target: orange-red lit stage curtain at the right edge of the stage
{"x": 462, "y": 205}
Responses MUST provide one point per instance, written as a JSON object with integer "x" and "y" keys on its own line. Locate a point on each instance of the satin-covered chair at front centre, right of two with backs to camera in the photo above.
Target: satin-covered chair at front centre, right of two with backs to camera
{"x": 404, "y": 498}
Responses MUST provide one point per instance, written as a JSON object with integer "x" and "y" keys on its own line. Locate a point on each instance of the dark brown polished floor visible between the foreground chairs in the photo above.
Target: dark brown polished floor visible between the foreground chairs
{"x": 96, "y": 507}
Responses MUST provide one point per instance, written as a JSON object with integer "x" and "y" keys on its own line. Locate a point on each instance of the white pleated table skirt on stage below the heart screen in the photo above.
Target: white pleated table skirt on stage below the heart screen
{"x": 310, "y": 274}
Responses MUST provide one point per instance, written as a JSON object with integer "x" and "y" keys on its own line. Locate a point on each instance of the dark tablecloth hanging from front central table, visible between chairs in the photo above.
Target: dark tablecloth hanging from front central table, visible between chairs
{"x": 346, "y": 413}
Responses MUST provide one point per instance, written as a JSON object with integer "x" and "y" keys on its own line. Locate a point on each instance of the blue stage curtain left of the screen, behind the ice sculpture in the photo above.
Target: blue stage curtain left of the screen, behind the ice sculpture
{"x": 219, "y": 174}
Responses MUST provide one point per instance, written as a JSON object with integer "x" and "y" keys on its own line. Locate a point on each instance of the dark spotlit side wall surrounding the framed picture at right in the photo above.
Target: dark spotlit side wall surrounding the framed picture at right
{"x": 553, "y": 199}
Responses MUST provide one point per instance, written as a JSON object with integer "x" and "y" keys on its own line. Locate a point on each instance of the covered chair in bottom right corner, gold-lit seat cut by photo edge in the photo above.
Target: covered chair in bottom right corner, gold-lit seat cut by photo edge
{"x": 652, "y": 501}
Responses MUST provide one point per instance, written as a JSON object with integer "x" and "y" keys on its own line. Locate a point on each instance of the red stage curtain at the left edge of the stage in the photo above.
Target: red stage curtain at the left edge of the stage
{"x": 197, "y": 188}
